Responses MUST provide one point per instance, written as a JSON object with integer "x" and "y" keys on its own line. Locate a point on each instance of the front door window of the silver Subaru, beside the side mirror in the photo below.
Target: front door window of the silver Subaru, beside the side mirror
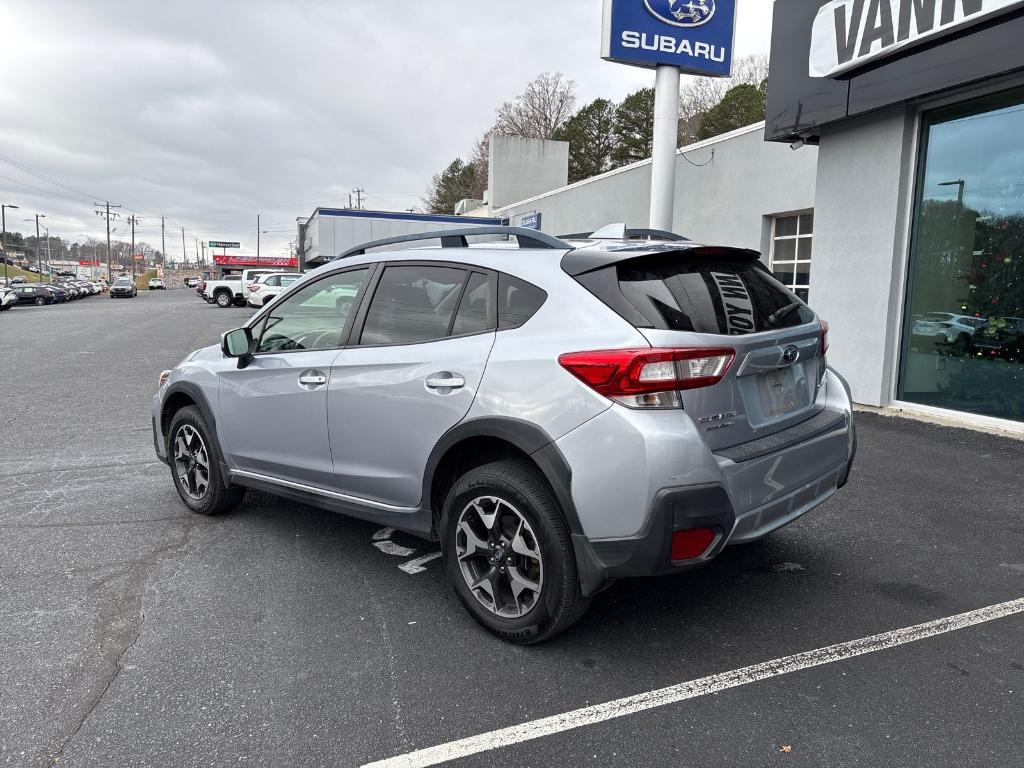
{"x": 315, "y": 317}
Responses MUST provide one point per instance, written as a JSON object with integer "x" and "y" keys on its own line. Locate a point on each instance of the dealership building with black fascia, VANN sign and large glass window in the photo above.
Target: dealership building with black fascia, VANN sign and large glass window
{"x": 918, "y": 217}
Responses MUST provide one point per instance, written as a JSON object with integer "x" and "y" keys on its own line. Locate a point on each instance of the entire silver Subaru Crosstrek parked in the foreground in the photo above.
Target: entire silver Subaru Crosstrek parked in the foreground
{"x": 558, "y": 416}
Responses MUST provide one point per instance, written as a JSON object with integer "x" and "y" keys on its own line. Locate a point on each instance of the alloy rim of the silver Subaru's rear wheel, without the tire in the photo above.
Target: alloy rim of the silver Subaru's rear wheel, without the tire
{"x": 499, "y": 557}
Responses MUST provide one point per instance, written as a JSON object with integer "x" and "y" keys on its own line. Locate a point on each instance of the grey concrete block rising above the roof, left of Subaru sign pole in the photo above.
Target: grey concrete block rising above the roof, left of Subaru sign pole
{"x": 524, "y": 167}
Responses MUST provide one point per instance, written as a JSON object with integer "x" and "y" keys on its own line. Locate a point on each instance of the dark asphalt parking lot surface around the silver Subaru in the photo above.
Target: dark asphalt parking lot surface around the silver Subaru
{"x": 135, "y": 634}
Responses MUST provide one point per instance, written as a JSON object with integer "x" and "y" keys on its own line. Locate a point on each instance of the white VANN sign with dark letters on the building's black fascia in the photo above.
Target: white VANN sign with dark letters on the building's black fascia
{"x": 848, "y": 34}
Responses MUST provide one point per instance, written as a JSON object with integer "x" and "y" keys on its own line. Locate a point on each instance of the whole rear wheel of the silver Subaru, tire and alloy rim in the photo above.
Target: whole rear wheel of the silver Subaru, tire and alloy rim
{"x": 508, "y": 553}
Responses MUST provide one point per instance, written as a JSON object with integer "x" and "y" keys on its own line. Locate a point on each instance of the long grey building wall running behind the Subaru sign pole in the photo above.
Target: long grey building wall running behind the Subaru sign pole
{"x": 726, "y": 188}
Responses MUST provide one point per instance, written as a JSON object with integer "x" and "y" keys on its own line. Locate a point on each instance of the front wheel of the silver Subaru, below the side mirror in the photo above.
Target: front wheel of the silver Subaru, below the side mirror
{"x": 192, "y": 453}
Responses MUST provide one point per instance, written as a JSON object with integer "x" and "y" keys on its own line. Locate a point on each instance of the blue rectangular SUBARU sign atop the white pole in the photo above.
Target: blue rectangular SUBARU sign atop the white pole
{"x": 694, "y": 35}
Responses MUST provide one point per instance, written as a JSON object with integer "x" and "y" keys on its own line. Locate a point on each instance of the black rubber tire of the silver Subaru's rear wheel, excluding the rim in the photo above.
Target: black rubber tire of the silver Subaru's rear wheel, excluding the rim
{"x": 560, "y": 603}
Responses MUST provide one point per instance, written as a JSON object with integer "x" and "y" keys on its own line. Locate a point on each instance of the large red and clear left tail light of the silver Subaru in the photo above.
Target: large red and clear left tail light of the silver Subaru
{"x": 649, "y": 378}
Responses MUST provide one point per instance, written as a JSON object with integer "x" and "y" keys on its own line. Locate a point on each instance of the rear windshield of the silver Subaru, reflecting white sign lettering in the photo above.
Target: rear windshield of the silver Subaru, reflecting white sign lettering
{"x": 699, "y": 294}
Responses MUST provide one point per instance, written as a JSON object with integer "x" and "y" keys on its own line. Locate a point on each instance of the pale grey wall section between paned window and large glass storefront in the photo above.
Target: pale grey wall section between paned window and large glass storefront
{"x": 861, "y": 222}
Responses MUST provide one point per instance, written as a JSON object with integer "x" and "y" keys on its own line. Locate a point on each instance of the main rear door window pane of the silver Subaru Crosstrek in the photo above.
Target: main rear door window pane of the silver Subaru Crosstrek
{"x": 412, "y": 305}
